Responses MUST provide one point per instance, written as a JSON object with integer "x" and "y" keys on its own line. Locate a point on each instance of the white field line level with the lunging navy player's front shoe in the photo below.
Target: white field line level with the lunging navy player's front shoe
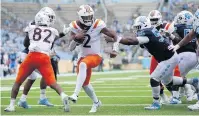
{"x": 83, "y": 105}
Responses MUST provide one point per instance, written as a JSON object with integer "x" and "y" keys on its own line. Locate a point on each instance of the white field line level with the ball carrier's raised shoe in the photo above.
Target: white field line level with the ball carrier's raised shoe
{"x": 87, "y": 96}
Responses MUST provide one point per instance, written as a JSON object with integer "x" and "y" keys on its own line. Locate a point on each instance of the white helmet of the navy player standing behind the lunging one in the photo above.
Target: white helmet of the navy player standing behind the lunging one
{"x": 184, "y": 17}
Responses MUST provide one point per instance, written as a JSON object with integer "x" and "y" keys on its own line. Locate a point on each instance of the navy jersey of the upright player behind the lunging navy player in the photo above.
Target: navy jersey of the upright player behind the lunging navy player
{"x": 182, "y": 30}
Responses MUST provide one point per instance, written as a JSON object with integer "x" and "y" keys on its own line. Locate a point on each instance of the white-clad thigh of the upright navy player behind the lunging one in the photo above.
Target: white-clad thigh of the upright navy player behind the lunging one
{"x": 188, "y": 61}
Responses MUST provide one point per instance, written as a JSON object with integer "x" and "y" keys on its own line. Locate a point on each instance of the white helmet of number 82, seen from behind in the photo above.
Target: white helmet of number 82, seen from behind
{"x": 42, "y": 19}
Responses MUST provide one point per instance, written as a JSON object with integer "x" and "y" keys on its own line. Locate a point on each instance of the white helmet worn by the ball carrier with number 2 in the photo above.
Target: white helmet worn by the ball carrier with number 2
{"x": 86, "y": 15}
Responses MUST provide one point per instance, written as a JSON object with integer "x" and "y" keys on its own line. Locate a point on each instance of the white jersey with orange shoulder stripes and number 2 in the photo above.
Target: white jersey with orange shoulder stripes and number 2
{"x": 91, "y": 44}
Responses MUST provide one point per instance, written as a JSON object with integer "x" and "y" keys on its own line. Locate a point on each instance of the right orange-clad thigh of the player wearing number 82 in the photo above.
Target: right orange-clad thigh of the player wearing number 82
{"x": 47, "y": 73}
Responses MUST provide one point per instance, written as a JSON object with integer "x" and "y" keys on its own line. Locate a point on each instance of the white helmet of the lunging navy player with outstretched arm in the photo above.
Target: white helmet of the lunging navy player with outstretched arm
{"x": 141, "y": 22}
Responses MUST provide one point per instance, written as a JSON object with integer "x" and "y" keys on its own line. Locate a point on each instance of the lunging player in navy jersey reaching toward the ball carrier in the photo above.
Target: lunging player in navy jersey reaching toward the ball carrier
{"x": 150, "y": 38}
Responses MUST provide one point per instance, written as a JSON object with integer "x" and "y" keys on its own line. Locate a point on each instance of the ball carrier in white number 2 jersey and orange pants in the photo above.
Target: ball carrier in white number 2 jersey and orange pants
{"x": 86, "y": 31}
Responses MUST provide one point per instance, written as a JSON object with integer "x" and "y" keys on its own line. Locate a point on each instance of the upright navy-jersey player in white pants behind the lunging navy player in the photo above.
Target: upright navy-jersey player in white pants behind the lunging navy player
{"x": 183, "y": 25}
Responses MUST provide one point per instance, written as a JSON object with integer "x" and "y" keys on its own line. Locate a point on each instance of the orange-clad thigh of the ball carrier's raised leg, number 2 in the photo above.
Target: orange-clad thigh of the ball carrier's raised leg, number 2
{"x": 92, "y": 61}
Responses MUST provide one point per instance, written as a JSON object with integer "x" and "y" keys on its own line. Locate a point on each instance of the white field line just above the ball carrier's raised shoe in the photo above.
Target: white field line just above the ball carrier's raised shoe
{"x": 95, "y": 91}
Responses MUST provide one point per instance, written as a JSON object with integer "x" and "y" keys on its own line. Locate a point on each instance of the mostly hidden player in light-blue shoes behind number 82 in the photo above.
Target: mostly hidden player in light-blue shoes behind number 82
{"x": 31, "y": 79}
